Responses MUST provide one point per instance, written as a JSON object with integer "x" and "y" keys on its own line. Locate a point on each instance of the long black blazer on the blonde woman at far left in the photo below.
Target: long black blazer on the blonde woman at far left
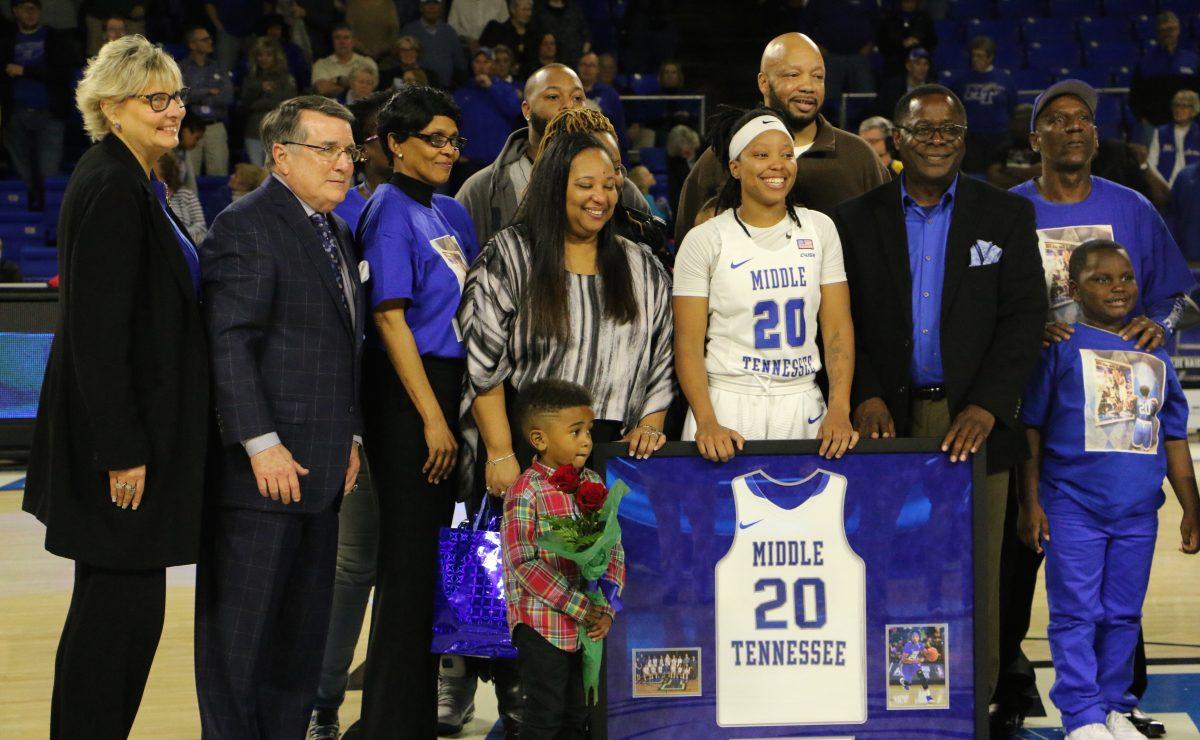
{"x": 128, "y": 382}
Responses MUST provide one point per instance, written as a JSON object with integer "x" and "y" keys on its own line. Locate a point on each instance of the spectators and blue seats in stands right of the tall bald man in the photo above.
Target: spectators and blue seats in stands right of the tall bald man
{"x": 1150, "y": 136}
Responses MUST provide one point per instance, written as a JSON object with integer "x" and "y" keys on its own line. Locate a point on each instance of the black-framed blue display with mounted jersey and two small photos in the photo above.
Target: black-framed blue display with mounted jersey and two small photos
{"x": 909, "y": 514}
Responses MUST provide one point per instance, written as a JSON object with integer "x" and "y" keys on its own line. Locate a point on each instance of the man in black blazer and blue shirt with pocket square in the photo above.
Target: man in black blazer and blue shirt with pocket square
{"x": 949, "y": 302}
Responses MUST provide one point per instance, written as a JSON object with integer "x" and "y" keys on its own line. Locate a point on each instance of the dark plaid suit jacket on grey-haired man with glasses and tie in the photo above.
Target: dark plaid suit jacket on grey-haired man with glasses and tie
{"x": 286, "y": 356}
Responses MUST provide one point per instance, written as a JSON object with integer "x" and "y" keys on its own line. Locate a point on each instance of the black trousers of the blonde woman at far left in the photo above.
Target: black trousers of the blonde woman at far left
{"x": 105, "y": 654}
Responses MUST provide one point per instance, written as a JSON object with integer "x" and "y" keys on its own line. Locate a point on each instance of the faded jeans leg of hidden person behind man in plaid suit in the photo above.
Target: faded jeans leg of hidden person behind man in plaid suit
{"x": 358, "y": 539}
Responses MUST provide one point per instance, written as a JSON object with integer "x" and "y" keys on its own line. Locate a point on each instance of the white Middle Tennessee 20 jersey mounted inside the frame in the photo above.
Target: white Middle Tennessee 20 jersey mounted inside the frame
{"x": 791, "y": 610}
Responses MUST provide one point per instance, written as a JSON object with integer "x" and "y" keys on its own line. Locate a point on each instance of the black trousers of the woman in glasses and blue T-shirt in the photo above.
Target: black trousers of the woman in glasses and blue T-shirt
{"x": 401, "y": 683}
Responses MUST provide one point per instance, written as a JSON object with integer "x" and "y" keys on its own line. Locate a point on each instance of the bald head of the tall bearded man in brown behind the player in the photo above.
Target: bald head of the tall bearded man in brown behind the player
{"x": 791, "y": 80}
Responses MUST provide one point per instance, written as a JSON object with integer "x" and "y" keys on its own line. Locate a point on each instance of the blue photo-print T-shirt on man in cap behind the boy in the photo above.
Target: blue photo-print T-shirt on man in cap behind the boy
{"x": 1111, "y": 212}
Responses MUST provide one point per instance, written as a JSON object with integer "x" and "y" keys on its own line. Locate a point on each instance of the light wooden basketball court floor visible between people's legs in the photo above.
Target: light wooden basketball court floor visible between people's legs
{"x": 35, "y": 589}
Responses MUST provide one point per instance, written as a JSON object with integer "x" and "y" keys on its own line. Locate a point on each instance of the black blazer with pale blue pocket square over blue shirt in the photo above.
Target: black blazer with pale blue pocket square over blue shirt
{"x": 993, "y": 316}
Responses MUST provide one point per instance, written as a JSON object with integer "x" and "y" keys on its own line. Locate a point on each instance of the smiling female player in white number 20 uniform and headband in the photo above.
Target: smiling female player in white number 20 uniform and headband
{"x": 752, "y": 287}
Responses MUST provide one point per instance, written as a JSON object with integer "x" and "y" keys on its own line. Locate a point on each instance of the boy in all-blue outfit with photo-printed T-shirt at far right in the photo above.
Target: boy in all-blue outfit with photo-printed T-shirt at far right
{"x": 1106, "y": 423}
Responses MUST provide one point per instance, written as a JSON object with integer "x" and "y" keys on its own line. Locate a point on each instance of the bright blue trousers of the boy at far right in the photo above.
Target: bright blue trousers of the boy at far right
{"x": 1097, "y": 573}
